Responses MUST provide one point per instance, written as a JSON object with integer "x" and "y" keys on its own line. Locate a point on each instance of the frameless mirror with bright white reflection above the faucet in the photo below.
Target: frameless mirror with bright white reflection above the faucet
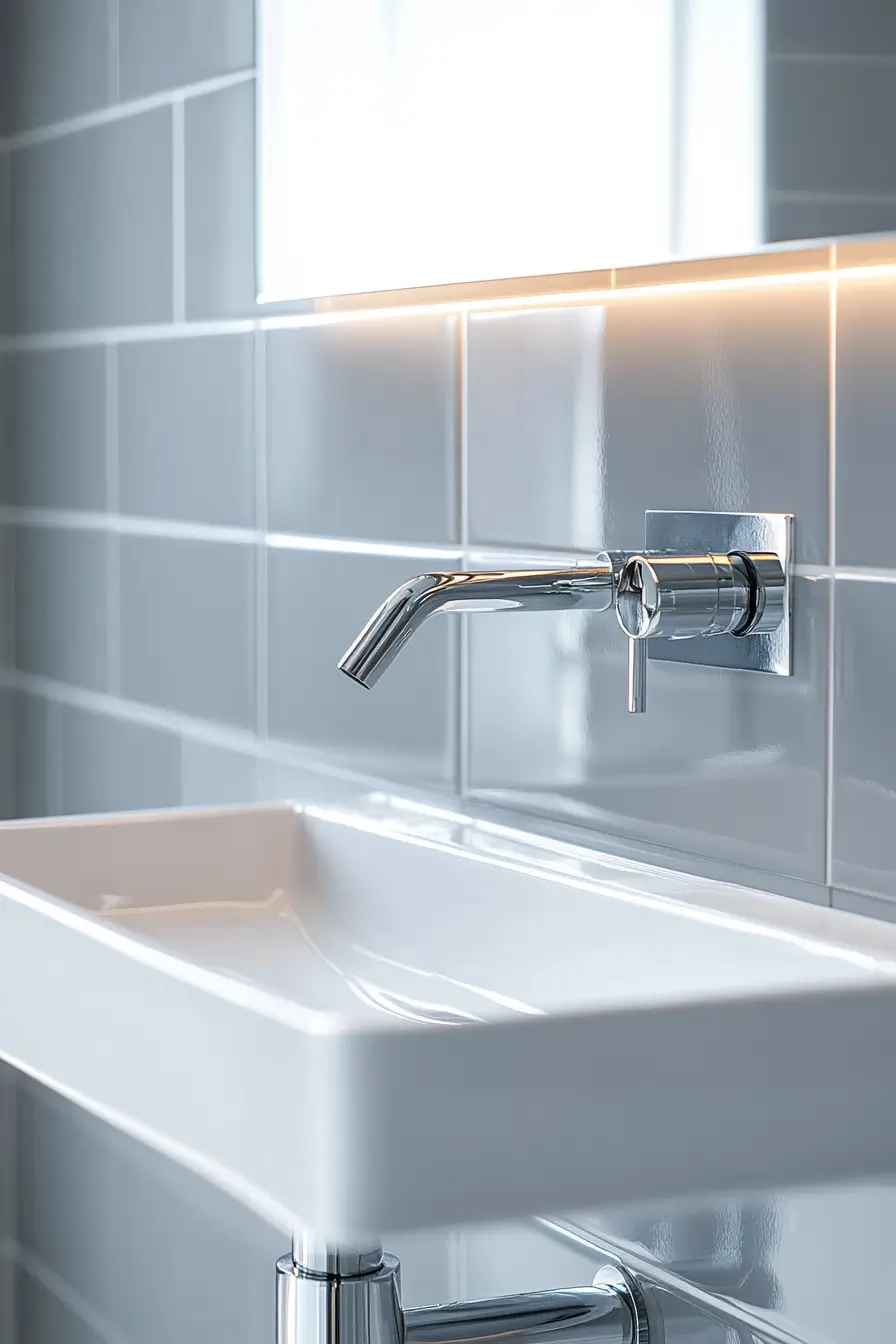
{"x": 408, "y": 144}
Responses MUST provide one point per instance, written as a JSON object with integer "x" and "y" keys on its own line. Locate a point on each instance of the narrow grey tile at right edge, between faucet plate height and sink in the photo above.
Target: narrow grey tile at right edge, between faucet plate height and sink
{"x": 864, "y": 841}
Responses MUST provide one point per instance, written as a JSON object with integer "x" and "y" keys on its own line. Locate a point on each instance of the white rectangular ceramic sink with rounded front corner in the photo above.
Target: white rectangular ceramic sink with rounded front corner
{"x": 378, "y": 1019}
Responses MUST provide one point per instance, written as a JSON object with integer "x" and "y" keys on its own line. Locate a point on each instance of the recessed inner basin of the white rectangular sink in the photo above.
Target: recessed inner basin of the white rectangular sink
{"x": 342, "y": 916}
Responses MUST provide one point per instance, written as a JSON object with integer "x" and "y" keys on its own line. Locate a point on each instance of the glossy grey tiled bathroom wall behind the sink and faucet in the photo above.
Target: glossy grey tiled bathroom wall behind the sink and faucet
{"x": 202, "y": 502}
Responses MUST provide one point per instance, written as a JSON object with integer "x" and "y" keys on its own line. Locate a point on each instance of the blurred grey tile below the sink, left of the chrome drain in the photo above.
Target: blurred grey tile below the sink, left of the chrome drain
{"x": 132, "y": 1234}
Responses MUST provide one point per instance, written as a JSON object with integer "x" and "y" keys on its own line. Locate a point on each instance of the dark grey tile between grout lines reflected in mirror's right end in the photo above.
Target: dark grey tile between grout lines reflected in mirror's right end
{"x": 828, "y": 126}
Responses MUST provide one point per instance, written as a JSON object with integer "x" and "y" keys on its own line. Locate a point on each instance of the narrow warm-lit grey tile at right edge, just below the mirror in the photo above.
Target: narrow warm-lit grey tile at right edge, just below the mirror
{"x": 866, "y": 416}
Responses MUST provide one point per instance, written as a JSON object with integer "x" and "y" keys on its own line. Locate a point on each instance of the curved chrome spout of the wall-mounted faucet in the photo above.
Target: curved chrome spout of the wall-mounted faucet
{"x": 533, "y": 591}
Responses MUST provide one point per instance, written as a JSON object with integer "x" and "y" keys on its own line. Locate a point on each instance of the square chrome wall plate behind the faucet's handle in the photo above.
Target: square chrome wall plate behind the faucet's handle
{"x": 723, "y": 533}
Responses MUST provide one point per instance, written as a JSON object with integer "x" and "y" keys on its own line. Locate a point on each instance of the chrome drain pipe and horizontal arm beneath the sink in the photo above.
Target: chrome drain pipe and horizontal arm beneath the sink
{"x": 366, "y": 1308}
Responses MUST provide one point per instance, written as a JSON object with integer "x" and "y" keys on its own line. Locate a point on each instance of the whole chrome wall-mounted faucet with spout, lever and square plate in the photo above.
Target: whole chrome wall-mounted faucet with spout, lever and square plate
{"x": 701, "y": 576}
